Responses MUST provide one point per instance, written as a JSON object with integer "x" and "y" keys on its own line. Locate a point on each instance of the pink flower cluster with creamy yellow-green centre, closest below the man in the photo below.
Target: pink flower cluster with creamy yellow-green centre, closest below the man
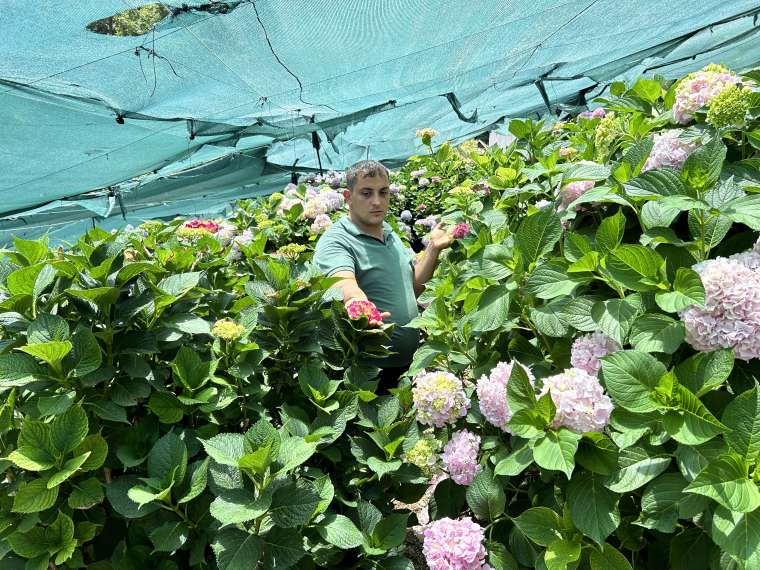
{"x": 439, "y": 397}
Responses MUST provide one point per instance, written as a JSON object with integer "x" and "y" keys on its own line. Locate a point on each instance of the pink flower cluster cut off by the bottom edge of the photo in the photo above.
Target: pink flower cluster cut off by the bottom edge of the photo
{"x": 454, "y": 544}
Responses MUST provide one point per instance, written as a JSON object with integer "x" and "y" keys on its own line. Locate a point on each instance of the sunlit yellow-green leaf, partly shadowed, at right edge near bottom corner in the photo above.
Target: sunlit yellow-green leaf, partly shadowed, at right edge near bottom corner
{"x": 726, "y": 481}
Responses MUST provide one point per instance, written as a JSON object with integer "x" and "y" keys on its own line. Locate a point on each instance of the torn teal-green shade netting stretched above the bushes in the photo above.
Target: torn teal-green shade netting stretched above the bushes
{"x": 221, "y": 99}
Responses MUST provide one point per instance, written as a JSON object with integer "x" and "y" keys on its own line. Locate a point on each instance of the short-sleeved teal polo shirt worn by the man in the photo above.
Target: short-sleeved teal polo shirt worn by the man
{"x": 384, "y": 270}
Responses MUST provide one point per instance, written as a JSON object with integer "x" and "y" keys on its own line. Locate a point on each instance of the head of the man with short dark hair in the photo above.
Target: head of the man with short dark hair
{"x": 368, "y": 193}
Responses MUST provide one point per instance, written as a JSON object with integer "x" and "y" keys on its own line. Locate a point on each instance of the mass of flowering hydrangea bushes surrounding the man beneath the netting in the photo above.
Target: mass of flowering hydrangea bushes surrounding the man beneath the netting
{"x": 193, "y": 394}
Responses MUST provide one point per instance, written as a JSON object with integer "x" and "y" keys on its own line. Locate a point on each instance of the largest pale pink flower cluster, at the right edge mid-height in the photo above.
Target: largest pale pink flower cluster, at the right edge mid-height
{"x": 731, "y": 315}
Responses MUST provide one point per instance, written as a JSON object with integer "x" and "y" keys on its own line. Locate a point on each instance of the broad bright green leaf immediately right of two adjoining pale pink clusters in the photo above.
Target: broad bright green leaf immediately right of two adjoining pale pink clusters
{"x": 630, "y": 377}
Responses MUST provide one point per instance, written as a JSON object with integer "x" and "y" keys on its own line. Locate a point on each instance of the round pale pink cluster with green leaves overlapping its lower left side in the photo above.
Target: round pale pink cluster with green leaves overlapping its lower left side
{"x": 581, "y": 403}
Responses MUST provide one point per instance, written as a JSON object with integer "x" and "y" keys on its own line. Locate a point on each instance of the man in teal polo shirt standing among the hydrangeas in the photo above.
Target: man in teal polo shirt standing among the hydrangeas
{"x": 374, "y": 265}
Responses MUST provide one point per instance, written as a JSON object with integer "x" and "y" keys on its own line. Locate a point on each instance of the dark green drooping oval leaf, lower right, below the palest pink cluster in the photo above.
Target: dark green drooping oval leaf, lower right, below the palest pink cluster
{"x": 593, "y": 508}
